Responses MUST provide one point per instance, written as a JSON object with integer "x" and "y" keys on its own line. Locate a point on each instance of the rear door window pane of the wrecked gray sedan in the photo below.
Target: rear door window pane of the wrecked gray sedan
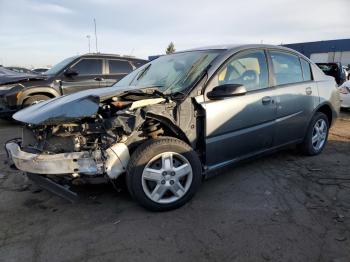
{"x": 287, "y": 68}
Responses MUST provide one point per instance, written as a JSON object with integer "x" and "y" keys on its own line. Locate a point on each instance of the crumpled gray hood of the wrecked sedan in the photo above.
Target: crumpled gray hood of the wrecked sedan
{"x": 68, "y": 108}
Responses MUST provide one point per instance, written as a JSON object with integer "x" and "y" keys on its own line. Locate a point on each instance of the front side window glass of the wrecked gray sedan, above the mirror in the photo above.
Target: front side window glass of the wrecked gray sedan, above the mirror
{"x": 249, "y": 69}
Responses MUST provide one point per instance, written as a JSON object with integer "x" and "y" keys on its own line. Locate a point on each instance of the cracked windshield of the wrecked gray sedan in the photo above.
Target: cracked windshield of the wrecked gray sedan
{"x": 170, "y": 73}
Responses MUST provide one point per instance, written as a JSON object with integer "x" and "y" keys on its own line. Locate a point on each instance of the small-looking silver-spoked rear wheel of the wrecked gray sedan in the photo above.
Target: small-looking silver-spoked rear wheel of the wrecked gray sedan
{"x": 316, "y": 136}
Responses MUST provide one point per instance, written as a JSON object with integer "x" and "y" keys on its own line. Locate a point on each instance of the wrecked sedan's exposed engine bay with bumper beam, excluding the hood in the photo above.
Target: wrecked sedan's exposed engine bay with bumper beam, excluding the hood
{"x": 106, "y": 139}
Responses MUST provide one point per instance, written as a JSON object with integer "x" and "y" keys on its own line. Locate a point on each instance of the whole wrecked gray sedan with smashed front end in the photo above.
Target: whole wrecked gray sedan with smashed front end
{"x": 173, "y": 121}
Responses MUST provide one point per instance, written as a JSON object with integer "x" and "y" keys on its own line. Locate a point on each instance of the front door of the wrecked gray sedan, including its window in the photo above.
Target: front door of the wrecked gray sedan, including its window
{"x": 241, "y": 126}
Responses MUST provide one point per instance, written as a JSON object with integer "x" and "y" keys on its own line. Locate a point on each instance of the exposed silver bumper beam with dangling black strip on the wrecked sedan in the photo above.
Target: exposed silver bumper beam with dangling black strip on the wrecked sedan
{"x": 39, "y": 168}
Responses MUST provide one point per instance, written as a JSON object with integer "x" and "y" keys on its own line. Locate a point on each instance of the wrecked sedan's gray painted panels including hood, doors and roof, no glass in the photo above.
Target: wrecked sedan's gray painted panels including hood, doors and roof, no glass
{"x": 232, "y": 129}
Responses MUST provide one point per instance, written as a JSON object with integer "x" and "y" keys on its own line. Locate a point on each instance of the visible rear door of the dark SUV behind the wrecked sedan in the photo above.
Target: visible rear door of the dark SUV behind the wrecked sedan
{"x": 116, "y": 70}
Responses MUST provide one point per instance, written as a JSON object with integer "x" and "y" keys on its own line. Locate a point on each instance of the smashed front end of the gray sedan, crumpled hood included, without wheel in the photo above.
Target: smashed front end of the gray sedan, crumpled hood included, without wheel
{"x": 90, "y": 149}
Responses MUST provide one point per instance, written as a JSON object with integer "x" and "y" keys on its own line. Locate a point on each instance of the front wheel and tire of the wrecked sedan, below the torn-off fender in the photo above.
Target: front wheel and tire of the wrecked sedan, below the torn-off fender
{"x": 166, "y": 157}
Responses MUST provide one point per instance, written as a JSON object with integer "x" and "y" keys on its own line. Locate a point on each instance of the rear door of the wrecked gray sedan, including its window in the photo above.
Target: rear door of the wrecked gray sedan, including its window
{"x": 296, "y": 96}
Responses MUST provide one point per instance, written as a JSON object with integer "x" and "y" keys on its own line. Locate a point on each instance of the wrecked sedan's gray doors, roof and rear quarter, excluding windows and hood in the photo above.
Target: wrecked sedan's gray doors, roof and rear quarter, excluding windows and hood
{"x": 242, "y": 127}
